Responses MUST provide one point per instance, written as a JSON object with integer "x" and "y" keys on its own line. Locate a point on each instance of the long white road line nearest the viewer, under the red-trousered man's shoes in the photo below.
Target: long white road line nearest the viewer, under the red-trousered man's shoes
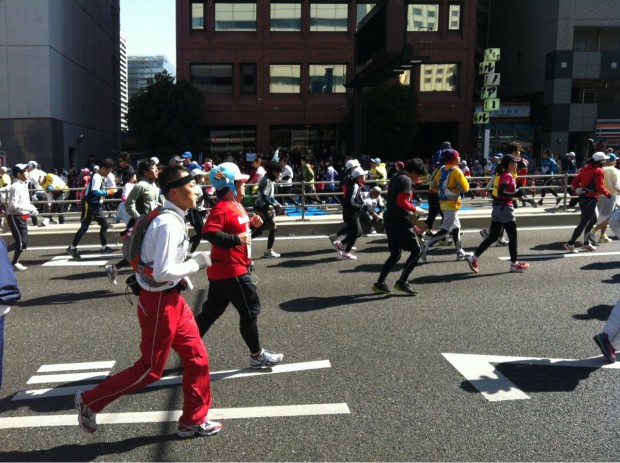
{"x": 46, "y": 421}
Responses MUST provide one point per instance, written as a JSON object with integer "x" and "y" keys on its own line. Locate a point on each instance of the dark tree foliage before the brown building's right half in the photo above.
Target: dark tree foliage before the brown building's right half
{"x": 390, "y": 121}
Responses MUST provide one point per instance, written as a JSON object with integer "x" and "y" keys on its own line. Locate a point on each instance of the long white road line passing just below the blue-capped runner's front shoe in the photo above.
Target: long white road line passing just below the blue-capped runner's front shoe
{"x": 173, "y": 380}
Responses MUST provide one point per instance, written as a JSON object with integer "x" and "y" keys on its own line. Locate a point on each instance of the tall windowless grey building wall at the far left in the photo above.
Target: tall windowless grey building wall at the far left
{"x": 59, "y": 80}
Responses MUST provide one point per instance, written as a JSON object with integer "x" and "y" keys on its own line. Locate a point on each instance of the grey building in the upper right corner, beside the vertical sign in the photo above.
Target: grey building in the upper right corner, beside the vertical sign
{"x": 562, "y": 57}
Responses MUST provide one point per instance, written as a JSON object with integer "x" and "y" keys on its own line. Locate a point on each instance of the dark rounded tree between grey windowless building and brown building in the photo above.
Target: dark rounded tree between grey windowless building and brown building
{"x": 166, "y": 116}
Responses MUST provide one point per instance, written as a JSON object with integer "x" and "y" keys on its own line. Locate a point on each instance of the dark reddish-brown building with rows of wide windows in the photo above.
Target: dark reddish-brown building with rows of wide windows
{"x": 274, "y": 73}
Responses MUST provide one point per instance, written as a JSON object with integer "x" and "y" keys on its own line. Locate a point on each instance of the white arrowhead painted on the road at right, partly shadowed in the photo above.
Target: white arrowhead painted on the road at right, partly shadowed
{"x": 495, "y": 387}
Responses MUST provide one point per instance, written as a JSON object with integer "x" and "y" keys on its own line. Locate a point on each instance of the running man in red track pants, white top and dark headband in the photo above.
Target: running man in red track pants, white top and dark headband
{"x": 166, "y": 321}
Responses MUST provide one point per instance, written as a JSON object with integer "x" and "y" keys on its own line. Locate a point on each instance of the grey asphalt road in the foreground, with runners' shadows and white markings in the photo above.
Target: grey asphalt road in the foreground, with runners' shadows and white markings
{"x": 368, "y": 377}
